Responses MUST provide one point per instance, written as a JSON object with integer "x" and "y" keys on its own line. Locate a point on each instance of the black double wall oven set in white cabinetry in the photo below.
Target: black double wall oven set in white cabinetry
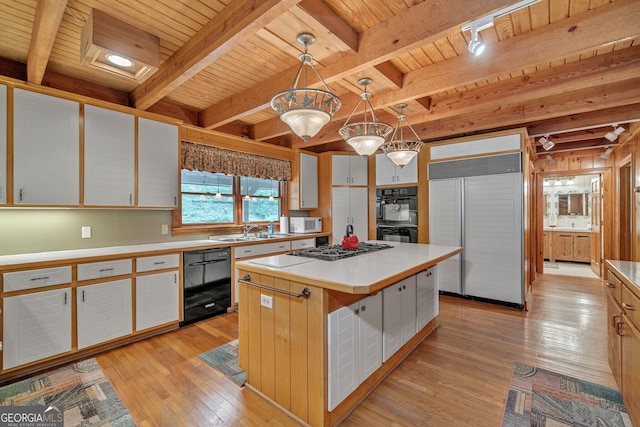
{"x": 397, "y": 214}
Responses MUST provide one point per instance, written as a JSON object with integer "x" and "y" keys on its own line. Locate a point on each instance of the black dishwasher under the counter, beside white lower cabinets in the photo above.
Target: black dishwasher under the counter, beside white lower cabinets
{"x": 207, "y": 283}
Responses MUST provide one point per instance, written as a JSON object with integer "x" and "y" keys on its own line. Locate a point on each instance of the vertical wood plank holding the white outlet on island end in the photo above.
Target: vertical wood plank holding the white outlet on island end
{"x": 267, "y": 340}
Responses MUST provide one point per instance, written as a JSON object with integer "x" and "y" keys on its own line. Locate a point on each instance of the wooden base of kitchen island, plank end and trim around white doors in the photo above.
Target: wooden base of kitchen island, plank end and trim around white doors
{"x": 284, "y": 349}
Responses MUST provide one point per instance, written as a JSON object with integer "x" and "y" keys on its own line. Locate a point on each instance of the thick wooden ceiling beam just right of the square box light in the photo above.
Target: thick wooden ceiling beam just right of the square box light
{"x": 234, "y": 24}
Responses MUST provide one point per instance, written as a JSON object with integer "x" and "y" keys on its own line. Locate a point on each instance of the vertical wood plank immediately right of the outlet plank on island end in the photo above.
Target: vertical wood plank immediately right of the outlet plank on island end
{"x": 282, "y": 344}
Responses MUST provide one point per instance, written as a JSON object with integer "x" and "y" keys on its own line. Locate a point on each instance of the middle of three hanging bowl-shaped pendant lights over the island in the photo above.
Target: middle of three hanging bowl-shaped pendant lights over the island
{"x": 369, "y": 134}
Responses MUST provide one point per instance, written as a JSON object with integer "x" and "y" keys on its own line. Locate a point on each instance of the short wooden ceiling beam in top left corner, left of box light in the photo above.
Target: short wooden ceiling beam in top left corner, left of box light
{"x": 43, "y": 35}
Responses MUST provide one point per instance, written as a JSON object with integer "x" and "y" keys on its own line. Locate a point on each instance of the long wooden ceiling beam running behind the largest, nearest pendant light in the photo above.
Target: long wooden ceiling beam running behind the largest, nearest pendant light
{"x": 408, "y": 30}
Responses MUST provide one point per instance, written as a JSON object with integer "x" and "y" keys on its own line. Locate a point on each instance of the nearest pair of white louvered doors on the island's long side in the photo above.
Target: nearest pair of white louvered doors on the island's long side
{"x": 354, "y": 346}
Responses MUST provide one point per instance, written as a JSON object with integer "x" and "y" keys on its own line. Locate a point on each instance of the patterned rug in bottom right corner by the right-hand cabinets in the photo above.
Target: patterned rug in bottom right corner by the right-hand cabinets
{"x": 542, "y": 398}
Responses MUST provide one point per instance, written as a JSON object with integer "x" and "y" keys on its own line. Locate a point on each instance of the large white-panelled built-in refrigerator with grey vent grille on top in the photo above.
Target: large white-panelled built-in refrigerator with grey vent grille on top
{"x": 477, "y": 203}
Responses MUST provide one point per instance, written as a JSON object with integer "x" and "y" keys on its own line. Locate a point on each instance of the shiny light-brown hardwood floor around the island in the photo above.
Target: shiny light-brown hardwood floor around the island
{"x": 458, "y": 376}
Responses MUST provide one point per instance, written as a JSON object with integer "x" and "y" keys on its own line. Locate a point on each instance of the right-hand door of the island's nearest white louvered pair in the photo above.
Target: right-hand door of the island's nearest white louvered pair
{"x": 370, "y": 335}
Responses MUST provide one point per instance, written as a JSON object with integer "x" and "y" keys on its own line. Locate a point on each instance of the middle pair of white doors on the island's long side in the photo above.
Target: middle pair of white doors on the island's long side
{"x": 399, "y": 315}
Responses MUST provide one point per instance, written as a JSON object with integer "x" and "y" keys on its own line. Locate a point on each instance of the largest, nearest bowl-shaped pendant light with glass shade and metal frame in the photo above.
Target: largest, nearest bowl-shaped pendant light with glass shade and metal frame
{"x": 306, "y": 109}
